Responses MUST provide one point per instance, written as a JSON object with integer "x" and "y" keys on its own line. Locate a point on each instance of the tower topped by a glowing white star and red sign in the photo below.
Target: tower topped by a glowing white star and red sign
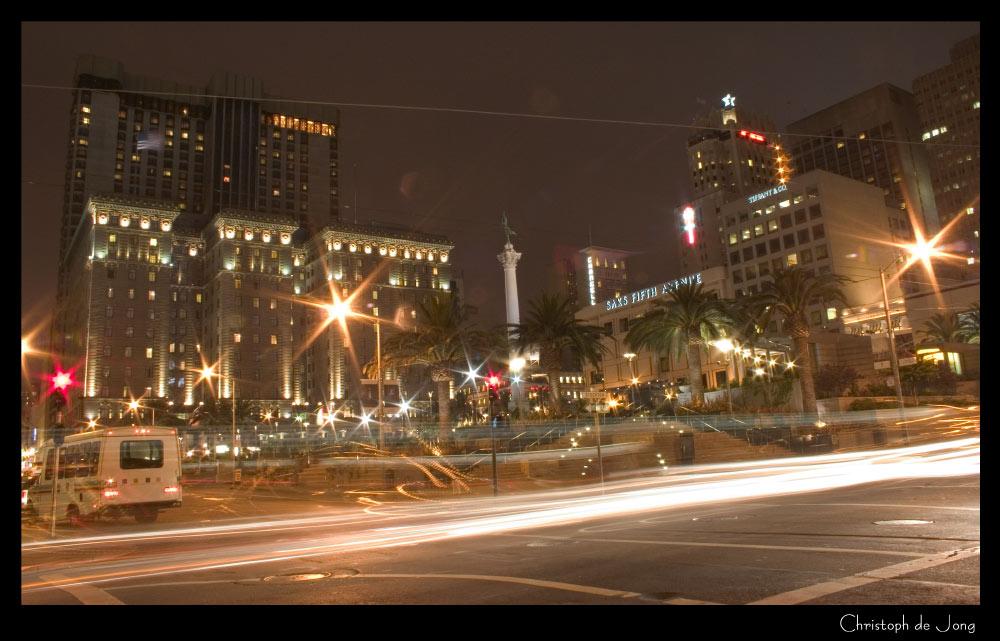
{"x": 730, "y": 155}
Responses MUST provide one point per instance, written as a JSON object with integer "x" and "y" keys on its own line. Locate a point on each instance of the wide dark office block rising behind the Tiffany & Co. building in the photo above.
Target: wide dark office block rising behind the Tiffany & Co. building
{"x": 869, "y": 137}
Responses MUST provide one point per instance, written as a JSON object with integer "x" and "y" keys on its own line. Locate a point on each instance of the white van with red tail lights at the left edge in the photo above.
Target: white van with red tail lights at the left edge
{"x": 111, "y": 472}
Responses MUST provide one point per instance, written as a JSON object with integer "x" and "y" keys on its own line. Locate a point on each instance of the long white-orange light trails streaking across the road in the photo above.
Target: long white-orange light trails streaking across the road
{"x": 395, "y": 525}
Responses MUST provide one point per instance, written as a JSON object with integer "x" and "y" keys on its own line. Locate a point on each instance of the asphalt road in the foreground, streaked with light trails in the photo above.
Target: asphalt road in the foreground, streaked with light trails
{"x": 889, "y": 529}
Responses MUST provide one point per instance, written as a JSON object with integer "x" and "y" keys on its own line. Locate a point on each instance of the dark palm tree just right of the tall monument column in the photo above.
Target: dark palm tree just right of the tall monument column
{"x": 551, "y": 326}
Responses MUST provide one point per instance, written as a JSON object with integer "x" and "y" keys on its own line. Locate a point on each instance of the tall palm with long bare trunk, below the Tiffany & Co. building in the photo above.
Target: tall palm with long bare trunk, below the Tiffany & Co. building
{"x": 791, "y": 293}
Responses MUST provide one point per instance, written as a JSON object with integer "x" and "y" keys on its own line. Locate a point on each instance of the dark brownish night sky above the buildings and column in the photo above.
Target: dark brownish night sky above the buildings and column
{"x": 453, "y": 172}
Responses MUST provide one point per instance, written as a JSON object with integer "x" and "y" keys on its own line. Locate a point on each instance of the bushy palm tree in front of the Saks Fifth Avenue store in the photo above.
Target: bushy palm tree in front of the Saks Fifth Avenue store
{"x": 687, "y": 322}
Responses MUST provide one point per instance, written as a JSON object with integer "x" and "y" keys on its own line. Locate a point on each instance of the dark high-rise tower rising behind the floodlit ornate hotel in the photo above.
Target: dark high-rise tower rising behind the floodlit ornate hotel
{"x": 228, "y": 145}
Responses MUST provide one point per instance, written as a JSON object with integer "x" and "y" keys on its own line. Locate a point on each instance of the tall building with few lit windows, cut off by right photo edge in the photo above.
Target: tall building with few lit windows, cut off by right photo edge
{"x": 947, "y": 101}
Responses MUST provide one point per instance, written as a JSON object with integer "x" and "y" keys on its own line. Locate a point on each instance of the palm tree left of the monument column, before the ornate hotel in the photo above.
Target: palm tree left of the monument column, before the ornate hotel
{"x": 442, "y": 340}
